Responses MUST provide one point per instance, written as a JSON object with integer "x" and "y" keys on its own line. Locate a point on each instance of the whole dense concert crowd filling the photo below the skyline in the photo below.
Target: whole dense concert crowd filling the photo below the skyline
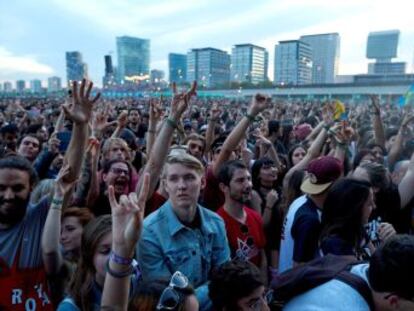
{"x": 179, "y": 203}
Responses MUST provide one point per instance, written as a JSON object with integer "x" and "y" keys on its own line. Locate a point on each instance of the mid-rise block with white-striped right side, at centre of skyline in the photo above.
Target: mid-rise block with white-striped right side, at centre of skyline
{"x": 248, "y": 63}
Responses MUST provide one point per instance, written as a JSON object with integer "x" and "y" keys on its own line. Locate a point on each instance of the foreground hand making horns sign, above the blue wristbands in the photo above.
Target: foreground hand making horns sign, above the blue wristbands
{"x": 127, "y": 218}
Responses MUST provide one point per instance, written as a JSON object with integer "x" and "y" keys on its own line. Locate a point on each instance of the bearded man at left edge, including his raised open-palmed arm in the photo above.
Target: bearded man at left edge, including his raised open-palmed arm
{"x": 23, "y": 279}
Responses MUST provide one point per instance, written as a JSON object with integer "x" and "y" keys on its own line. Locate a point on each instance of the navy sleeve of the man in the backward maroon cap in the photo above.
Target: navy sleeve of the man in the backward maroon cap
{"x": 305, "y": 231}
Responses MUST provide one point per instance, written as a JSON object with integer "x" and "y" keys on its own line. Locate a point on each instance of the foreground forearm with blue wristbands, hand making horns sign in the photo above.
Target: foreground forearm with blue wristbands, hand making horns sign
{"x": 127, "y": 217}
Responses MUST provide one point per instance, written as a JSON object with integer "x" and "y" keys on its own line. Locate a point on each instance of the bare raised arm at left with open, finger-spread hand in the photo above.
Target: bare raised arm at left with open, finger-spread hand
{"x": 80, "y": 112}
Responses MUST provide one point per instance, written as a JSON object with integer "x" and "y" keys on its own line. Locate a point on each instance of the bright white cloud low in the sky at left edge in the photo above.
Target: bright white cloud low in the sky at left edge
{"x": 11, "y": 64}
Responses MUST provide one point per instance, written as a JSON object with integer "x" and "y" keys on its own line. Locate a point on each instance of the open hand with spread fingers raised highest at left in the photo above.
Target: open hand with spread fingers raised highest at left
{"x": 80, "y": 109}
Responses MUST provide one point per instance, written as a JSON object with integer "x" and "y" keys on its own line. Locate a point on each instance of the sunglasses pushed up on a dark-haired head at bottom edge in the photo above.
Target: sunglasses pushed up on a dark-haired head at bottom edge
{"x": 170, "y": 298}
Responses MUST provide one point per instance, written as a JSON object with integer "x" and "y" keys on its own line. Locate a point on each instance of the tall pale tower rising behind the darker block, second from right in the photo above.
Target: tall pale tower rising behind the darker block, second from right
{"x": 325, "y": 56}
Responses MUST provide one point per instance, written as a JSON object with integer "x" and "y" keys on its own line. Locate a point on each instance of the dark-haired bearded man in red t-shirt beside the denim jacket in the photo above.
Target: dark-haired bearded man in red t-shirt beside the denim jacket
{"x": 244, "y": 226}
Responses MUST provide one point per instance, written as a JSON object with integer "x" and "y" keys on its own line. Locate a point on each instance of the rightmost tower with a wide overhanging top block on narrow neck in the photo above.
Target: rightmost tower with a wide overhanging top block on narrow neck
{"x": 382, "y": 46}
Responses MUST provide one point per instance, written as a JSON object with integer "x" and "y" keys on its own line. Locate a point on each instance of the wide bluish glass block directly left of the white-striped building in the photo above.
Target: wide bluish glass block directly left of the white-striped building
{"x": 209, "y": 67}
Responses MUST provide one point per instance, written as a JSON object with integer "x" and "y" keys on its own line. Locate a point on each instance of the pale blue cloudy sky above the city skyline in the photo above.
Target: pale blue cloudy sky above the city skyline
{"x": 34, "y": 35}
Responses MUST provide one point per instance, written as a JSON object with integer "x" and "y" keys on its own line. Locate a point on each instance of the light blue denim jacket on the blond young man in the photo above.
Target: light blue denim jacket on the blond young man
{"x": 166, "y": 245}
